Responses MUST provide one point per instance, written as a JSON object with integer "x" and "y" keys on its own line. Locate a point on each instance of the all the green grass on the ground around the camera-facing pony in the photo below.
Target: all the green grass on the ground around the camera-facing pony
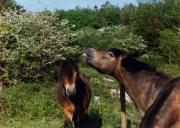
{"x": 33, "y": 105}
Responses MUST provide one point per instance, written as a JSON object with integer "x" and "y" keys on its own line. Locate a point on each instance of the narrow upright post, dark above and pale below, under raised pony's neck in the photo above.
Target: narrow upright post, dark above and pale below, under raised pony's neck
{"x": 123, "y": 107}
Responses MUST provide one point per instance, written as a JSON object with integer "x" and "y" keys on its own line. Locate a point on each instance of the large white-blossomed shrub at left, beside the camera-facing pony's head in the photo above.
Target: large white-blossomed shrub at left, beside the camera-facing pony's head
{"x": 33, "y": 44}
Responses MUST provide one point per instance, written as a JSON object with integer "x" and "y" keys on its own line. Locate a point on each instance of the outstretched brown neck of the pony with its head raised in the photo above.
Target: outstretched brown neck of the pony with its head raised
{"x": 142, "y": 86}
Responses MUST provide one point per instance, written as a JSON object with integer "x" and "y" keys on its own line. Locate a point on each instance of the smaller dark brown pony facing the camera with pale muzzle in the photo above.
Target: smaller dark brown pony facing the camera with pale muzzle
{"x": 74, "y": 94}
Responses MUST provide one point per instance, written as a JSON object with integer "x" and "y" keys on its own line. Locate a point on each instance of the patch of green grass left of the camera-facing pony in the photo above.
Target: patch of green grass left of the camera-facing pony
{"x": 27, "y": 103}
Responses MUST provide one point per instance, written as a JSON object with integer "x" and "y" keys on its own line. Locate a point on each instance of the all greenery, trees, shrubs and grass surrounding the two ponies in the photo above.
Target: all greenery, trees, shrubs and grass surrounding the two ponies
{"x": 32, "y": 46}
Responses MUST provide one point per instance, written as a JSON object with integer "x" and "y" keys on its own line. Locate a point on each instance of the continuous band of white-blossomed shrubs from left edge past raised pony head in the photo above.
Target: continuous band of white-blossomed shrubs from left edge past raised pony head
{"x": 33, "y": 44}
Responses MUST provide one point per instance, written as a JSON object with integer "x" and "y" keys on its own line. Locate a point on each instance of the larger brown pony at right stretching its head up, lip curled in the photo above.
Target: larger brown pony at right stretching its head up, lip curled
{"x": 156, "y": 95}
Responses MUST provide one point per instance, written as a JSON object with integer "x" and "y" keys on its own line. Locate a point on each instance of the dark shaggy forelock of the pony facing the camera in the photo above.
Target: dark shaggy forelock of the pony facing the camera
{"x": 66, "y": 69}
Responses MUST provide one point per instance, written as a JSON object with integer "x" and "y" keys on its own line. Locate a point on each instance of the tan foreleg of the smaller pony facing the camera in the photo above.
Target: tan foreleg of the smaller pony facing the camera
{"x": 69, "y": 110}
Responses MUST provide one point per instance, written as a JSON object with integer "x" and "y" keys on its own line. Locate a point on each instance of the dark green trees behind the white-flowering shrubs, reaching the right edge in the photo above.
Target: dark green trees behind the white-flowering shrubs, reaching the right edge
{"x": 157, "y": 21}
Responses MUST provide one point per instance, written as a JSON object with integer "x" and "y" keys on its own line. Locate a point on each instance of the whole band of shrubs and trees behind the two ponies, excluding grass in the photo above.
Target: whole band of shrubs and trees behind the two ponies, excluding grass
{"x": 33, "y": 44}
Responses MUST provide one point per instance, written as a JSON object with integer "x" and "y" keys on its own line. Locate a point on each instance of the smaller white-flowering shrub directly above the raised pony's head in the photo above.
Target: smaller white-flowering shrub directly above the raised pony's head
{"x": 112, "y": 37}
